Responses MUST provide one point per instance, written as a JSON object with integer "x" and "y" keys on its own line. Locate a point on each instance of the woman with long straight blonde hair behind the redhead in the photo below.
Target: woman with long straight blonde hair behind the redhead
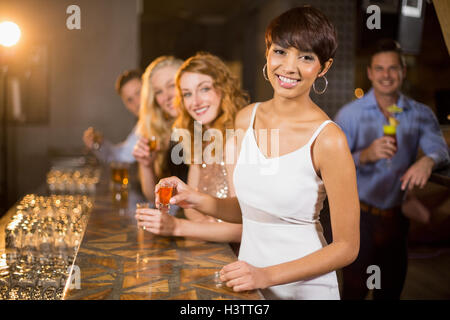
{"x": 156, "y": 116}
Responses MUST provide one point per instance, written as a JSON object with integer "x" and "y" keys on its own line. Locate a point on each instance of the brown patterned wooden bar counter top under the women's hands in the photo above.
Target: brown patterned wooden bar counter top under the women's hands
{"x": 119, "y": 261}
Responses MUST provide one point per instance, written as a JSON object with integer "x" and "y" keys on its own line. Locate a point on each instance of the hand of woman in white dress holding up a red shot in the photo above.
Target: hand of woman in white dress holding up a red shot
{"x": 183, "y": 195}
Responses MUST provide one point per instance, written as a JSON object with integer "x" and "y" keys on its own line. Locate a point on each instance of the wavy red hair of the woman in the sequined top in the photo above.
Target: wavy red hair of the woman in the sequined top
{"x": 233, "y": 98}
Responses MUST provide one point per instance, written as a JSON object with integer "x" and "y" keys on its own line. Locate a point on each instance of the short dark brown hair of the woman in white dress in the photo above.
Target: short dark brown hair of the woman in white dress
{"x": 306, "y": 29}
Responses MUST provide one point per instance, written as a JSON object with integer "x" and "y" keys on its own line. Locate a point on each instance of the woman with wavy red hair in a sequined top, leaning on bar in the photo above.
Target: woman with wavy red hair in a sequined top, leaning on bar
{"x": 208, "y": 97}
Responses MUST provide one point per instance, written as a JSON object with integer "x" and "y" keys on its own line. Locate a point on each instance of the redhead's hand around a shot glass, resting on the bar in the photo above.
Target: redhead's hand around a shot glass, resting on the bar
{"x": 157, "y": 221}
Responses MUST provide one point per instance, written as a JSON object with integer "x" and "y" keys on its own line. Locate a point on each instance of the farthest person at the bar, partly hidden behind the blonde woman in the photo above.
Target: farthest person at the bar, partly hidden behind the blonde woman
{"x": 128, "y": 87}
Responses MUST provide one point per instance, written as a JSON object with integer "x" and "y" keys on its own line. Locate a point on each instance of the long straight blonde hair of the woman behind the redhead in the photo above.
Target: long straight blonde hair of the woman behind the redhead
{"x": 153, "y": 121}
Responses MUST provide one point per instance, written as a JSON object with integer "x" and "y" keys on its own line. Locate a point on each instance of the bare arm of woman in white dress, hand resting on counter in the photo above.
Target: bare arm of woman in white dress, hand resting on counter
{"x": 339, "y": 177}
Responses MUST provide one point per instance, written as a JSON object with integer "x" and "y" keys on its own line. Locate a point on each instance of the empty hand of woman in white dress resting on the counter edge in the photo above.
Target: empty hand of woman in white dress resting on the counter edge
{"x": 242, "y": 276}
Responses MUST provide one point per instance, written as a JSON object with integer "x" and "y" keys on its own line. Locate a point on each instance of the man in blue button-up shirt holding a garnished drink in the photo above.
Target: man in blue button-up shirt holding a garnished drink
{"x": 386, "y": 168}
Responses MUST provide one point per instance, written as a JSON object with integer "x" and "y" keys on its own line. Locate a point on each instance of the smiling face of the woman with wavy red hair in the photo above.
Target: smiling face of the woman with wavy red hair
{"x": 200, "y": 98}
